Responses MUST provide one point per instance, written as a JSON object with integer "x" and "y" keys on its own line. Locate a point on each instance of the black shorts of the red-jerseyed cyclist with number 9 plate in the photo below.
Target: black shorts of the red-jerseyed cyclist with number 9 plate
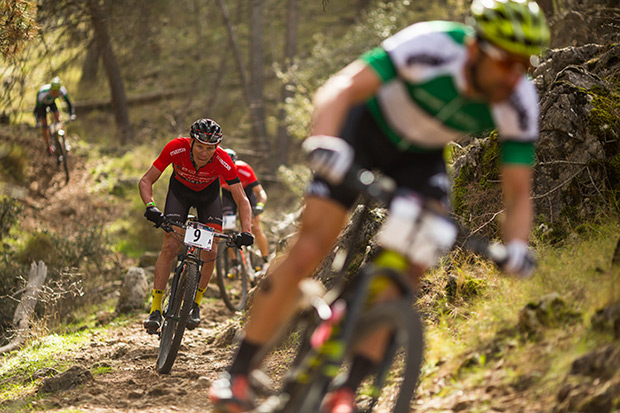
{"x": 207, "y": 202}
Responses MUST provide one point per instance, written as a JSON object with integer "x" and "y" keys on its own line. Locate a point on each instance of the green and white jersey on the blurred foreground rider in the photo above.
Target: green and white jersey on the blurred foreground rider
{"x": 422, "y": 106}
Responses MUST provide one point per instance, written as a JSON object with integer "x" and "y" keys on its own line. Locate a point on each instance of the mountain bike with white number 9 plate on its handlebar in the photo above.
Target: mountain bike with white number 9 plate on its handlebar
{"x": 179, "y": 299}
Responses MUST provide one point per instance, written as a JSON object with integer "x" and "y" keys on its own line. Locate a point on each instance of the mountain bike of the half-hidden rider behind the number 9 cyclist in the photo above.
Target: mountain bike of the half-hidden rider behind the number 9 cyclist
{"x": 237, "y": 268}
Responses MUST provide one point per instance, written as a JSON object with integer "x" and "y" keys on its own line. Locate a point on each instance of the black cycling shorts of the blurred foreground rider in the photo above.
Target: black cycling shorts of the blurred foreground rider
{"x": 424, "y": 172}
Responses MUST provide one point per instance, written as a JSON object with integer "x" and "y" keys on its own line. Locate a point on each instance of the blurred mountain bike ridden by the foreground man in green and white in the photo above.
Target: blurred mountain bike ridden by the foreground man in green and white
{"x": 348, "y": 313}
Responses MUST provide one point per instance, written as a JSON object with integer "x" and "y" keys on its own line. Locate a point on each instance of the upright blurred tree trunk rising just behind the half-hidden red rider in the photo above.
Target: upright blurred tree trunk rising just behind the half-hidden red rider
{"x": 257, "y": 77}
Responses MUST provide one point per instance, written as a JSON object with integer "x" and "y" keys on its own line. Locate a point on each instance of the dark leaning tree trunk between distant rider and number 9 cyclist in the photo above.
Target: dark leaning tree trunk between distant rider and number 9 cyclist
{"x": 117, "y": 89}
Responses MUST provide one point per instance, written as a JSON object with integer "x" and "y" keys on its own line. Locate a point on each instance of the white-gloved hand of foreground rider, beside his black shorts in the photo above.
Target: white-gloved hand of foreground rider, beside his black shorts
{"x": 330, "y": 157}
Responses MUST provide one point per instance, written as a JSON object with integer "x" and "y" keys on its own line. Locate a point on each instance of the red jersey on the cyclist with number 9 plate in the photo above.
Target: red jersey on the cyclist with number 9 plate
{"x": 178, "y": 153}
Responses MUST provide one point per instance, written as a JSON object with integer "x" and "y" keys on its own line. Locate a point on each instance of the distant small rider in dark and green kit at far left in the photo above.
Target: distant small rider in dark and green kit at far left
{"x": 46, "y": 100}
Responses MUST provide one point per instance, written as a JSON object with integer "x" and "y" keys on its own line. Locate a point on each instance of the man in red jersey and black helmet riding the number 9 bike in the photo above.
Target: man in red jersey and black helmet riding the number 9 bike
{"x": 197, "y": 163}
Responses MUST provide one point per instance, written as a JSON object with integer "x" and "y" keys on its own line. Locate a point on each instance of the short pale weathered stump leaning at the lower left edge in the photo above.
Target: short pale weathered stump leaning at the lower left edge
{"x": 25, "y": 308}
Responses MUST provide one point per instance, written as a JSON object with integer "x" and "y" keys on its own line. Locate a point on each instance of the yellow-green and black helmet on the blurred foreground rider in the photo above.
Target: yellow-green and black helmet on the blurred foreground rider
{"x": 517, "y": 26}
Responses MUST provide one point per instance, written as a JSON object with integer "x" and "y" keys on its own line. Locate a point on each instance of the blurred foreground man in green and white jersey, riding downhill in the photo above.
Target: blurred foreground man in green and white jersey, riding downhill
{"x": 393, "y": 110}
